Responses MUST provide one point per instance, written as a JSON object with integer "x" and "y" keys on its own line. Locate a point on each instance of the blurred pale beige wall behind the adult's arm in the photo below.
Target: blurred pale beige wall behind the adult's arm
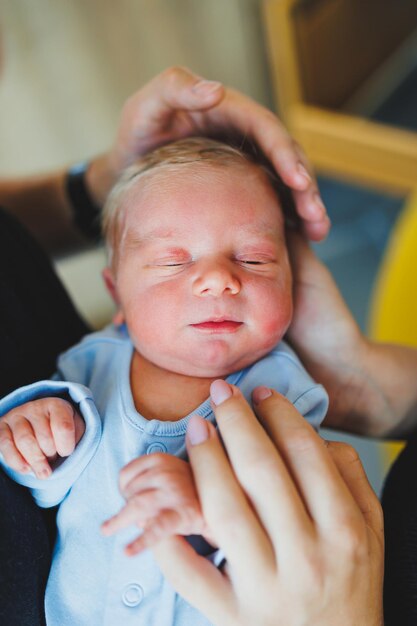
{"x": 68, "y": 66}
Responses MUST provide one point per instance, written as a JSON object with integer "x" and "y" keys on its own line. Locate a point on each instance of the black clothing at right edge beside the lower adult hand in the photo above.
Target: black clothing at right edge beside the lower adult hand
{"x": 399, "y": 502}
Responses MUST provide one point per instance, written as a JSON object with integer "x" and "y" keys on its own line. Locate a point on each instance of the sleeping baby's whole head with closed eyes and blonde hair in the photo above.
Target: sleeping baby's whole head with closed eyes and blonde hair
{"x": 198, "y": 260}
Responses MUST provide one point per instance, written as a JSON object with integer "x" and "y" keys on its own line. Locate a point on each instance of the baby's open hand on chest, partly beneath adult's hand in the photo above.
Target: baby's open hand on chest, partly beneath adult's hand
{"x": 161, "y": 498}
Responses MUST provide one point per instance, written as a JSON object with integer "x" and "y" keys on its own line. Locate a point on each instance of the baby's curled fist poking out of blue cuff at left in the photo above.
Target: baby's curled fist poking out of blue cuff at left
{"x": 35, "y": 434}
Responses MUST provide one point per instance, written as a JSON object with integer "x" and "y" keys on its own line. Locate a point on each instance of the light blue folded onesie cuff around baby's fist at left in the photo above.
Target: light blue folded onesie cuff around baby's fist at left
{"x": 51, "y": 491}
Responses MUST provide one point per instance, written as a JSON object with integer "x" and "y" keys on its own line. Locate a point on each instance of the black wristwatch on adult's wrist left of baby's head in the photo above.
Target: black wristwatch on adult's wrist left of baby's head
{"x": 86, "y": 213}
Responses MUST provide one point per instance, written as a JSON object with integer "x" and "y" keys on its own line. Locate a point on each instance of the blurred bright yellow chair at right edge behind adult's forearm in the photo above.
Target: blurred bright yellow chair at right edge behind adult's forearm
{"x": 393, "y": 313}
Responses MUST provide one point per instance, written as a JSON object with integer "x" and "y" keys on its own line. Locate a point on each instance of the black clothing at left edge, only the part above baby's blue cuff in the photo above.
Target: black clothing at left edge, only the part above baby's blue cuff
{"x": 37, "y": 318}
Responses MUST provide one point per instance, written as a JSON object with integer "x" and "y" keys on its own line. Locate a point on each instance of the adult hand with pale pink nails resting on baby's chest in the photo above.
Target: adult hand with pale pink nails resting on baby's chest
{"x": 297, "y": 520}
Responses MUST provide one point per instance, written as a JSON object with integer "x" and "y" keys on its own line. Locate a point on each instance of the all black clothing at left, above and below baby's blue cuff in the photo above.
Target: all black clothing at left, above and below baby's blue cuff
{"x": 37, "y": 322}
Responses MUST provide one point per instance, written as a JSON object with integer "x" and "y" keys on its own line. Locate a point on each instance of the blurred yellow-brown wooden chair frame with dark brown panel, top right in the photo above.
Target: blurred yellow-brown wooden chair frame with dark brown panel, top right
{"x": 332, "y": 63}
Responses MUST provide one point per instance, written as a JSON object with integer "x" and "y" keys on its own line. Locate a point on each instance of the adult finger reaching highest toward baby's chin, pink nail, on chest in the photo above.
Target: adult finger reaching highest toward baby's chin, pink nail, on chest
{"x": 259, "y": 468}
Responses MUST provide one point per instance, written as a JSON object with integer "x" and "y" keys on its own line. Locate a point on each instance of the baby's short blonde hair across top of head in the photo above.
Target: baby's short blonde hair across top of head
{"x": 173, "y": 157}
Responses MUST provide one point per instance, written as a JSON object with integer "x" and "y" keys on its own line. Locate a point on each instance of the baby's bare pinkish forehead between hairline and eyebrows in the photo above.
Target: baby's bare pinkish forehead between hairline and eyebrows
{"x": 178, "y": 199}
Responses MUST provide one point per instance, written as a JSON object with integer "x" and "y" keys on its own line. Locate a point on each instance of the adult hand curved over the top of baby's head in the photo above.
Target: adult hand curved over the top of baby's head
{"x": 177, "y": 103}
